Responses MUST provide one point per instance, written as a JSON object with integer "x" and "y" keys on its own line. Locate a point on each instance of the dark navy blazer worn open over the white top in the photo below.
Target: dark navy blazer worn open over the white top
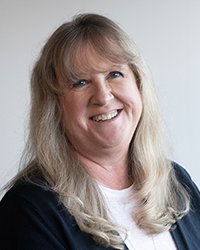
{"x": 32, "y": 218}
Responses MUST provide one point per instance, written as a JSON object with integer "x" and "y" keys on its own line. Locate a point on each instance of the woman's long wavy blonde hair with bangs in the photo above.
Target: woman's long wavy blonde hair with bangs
{"x": 160, "y": 198}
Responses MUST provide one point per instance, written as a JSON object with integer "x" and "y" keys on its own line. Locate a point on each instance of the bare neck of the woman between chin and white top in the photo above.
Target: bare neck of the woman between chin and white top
{"x": 112, "y": 173}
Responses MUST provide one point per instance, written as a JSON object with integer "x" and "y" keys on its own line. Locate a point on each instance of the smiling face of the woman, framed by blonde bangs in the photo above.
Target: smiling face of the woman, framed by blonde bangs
{"x": 101, "y": 109}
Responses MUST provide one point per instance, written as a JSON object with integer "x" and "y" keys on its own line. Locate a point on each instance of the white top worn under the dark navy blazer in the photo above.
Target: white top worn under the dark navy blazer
{"x": 120, "y": 210}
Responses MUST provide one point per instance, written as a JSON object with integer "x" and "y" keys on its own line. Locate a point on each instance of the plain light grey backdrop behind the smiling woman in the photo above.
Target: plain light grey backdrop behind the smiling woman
{"x": 167, "y": 33}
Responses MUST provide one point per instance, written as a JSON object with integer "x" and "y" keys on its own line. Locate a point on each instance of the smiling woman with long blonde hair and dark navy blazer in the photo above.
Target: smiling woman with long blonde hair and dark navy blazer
{"x": 96, "y": 173}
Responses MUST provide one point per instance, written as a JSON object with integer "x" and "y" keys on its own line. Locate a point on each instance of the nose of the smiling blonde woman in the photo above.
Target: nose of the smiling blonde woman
{"x": 102, "y": 92}
